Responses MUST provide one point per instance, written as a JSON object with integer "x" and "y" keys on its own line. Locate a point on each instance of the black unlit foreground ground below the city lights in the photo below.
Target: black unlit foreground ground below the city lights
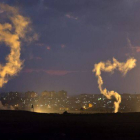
{"x": 27, "y": 125}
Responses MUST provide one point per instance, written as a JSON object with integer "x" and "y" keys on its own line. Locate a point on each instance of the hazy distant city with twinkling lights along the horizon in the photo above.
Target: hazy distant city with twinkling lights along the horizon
{"x": 52, "y": 101}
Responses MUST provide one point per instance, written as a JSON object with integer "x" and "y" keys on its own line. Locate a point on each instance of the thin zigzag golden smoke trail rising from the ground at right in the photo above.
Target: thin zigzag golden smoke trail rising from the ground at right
{"x": 110, "y": 67}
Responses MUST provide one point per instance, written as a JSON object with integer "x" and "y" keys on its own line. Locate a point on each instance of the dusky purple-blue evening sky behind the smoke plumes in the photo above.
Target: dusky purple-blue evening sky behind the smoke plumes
{"x": 73, "y": 36}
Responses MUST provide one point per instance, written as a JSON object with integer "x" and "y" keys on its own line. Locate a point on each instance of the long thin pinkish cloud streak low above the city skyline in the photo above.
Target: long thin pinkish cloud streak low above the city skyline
{"x": 50, "y": 72}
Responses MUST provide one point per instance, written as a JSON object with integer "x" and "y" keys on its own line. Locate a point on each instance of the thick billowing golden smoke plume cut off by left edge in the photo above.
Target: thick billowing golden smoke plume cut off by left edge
{"x": 11, "y": 33}
